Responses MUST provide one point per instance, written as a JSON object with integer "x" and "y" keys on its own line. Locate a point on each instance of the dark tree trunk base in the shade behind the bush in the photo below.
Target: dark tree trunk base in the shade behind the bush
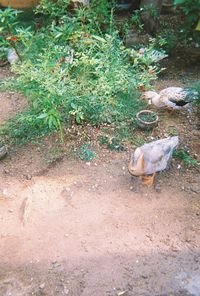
{"x": 151, "y": 14}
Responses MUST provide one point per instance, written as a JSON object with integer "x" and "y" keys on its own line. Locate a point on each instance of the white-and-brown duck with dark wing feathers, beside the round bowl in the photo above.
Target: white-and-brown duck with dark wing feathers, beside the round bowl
{"x": 174, "y": 98}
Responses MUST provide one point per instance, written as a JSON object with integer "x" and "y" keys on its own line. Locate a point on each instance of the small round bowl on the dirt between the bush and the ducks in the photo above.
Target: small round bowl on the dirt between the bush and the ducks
{"x": 147, "y": 124}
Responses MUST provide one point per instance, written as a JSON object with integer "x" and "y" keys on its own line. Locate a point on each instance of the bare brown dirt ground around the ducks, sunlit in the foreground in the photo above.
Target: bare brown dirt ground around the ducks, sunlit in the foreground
{"x": 88, "y": 229}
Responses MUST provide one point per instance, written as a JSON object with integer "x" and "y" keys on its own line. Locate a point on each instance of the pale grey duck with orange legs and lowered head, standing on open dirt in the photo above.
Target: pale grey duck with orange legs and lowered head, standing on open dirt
{"x": 151, "y": 158}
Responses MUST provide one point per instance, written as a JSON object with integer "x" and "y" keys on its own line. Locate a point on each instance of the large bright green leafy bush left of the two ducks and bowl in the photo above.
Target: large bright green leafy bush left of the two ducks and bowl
{"x": 72, "y": 72}
